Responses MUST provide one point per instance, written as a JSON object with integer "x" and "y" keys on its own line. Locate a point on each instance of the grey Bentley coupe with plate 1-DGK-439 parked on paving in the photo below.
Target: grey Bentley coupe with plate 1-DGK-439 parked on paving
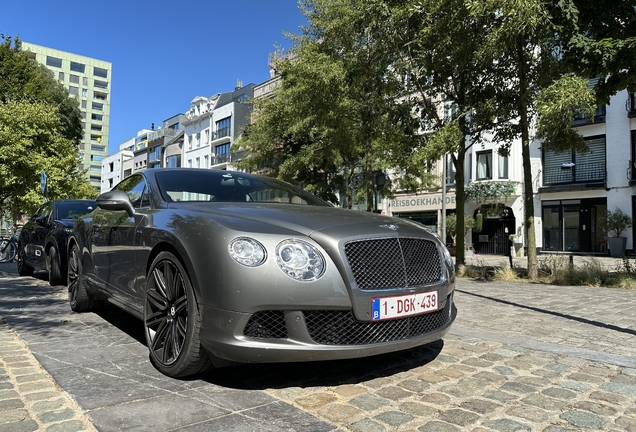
{"x": 225, "y": 267}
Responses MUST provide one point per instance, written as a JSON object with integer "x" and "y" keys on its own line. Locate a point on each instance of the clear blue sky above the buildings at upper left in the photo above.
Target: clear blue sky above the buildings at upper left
{"x": 163, "y": 54}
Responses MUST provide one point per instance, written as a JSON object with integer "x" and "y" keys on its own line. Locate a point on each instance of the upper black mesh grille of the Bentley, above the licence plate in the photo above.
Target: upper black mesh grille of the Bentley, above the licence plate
{"x": 390, "y": 263}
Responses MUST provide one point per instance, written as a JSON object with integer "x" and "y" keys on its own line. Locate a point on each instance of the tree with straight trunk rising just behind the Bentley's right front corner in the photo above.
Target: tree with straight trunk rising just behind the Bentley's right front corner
{"x": 450, "y": 82}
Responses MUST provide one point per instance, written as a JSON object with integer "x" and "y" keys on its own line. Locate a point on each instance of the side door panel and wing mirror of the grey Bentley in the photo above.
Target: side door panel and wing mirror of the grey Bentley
{"x": 113, "y": 243}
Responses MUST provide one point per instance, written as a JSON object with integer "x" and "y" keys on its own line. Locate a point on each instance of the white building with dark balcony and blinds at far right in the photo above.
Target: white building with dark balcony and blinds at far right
{"x": 572, "y": 190}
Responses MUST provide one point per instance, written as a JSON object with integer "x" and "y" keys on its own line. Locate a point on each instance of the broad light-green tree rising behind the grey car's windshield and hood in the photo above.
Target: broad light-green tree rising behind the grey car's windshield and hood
{"x": 336, "y": 113}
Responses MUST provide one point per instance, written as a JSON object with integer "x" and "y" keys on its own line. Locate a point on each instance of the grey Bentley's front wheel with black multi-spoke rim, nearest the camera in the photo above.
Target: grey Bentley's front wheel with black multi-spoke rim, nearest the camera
{"x": 172, "y": 320}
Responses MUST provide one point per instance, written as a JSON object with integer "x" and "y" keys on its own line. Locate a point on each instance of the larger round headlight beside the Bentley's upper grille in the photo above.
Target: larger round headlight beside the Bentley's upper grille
{"x": 300, "y": 260}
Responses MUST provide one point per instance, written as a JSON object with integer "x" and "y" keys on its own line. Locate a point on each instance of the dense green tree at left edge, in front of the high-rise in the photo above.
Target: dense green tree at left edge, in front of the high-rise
{"x": 40, "y": 127}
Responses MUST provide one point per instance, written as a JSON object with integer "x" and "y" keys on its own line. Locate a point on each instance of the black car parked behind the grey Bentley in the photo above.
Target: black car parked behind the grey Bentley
{"x": 42, "y": 243}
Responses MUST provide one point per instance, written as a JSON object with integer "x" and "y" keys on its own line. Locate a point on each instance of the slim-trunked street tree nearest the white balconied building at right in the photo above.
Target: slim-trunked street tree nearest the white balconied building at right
{"x": 533, "y": 88}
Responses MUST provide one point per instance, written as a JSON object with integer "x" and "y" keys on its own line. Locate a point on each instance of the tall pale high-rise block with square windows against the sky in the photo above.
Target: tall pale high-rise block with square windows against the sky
{"x": 88, "y": 80}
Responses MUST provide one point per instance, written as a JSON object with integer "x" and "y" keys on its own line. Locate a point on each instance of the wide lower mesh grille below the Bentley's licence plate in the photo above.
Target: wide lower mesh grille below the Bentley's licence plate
{"x": 342, "y": 328}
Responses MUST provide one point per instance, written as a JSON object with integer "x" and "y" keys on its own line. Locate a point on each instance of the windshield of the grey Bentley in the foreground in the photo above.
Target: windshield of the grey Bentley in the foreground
{"x": 226, "y": 186}
